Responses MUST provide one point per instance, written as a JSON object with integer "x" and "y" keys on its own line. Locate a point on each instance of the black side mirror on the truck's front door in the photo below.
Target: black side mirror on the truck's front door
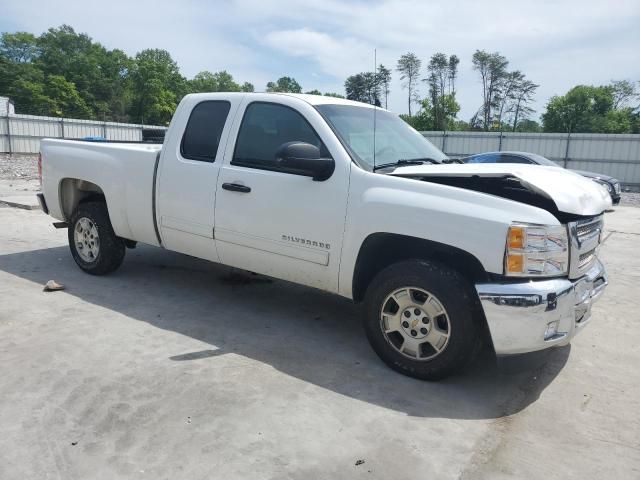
{"x": 304, "y": 159}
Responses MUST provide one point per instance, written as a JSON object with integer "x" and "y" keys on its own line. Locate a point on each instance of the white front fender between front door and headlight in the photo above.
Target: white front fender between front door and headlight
{"x": 471, "y": 221}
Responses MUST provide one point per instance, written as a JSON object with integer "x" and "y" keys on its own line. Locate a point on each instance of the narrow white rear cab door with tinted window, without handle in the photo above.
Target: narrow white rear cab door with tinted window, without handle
{"x": 188, "y": 172}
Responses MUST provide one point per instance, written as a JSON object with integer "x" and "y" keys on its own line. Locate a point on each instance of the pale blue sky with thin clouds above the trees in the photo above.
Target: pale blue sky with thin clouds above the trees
{"x": 557, "y": 44}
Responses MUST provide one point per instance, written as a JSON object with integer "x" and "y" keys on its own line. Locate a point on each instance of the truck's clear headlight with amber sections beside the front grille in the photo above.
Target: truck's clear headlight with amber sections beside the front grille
{"x": 536, "y": 250}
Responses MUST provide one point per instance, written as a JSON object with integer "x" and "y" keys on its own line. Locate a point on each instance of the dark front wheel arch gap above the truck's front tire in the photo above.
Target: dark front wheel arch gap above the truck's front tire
{"x": 381, "y": 249}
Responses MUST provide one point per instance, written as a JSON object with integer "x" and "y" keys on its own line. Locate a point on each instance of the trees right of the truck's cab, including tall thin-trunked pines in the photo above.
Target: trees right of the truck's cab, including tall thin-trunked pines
{"x": 506, "y": 98}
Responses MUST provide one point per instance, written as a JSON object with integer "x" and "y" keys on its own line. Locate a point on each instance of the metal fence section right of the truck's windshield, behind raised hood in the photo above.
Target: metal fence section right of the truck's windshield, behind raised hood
{"x": 617, "y": 155}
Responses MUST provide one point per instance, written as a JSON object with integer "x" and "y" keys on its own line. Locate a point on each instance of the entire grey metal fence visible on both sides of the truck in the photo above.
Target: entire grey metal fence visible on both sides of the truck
{"x": 615, "y": 155}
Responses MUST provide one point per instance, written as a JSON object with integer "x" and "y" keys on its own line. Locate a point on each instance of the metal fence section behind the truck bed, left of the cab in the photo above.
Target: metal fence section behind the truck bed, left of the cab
{"x": 22, "y": 133}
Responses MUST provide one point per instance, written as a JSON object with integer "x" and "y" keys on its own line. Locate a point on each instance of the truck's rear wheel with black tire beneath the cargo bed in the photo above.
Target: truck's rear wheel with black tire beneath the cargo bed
{"x": 94, "y": 245}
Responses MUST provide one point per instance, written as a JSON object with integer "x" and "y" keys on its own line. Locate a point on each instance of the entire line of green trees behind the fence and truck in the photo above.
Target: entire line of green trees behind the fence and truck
{"x": 64, "y": 73}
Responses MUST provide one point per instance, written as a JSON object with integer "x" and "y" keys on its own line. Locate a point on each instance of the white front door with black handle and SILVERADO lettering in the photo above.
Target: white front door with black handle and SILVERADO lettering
{"x": 276, "y": 222}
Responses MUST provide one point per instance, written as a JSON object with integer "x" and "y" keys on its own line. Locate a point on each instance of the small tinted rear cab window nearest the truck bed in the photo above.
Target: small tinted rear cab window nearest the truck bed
{"x": 204, "y": 129}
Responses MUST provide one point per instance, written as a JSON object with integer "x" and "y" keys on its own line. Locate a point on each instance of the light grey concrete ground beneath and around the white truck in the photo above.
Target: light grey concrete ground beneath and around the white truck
{"x": 176, "y": 368}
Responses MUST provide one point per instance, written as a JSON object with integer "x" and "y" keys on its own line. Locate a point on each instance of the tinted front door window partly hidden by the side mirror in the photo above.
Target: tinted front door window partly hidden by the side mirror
{"x": 265, "y": 127}
